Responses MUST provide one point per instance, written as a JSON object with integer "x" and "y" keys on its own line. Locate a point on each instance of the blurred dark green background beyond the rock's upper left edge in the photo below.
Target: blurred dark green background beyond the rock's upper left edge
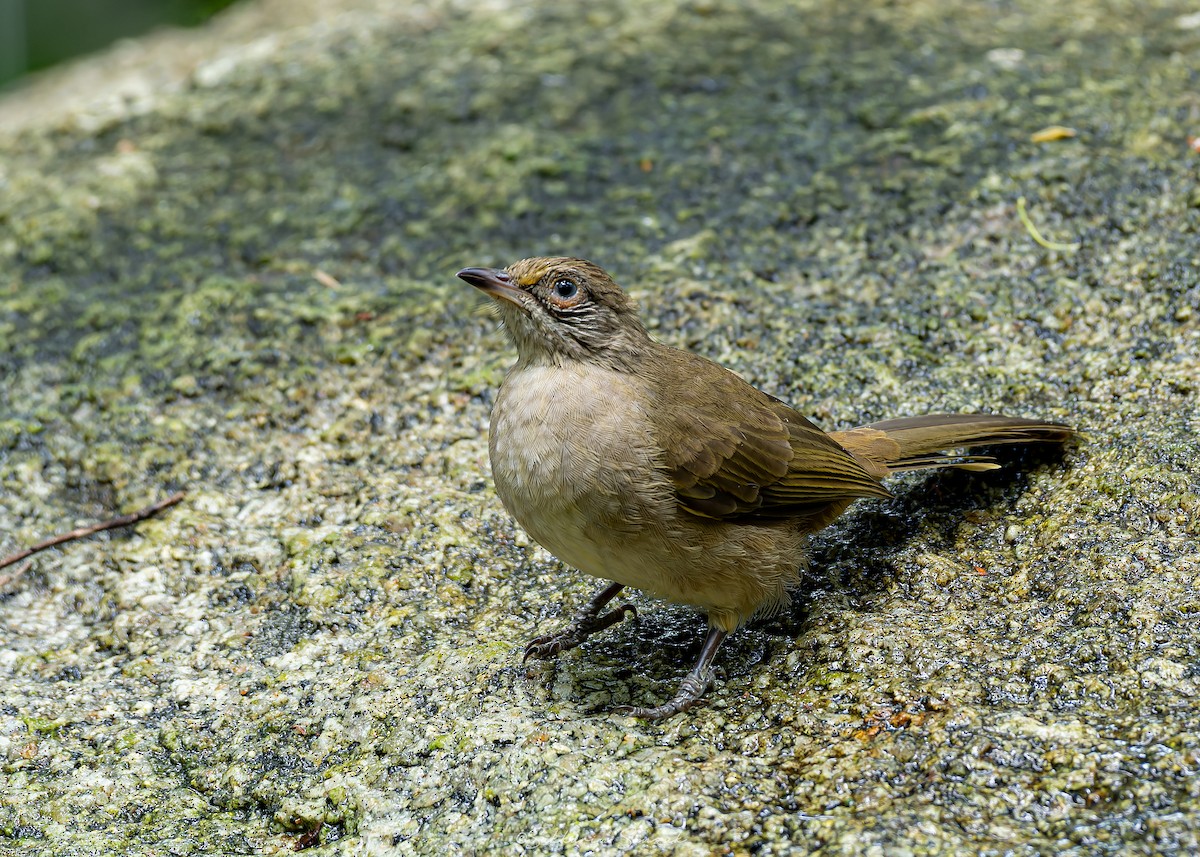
{"x": 37, "y": 34}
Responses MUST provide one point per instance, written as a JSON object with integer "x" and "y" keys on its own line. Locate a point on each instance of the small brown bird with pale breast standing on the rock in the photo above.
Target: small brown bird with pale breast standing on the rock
{"x": 656, "y": 469}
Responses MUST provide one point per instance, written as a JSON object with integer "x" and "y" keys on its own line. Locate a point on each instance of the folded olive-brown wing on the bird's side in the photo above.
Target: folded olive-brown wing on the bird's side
{"x": 735, "y": 452}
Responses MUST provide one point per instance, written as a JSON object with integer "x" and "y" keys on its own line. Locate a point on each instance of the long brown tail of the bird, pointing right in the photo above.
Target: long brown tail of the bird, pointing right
{"x": 915, "y": 444}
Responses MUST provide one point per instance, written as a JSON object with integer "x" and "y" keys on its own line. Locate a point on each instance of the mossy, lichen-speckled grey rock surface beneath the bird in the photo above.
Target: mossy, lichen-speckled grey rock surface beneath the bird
{"x": 239, "y": 281}
